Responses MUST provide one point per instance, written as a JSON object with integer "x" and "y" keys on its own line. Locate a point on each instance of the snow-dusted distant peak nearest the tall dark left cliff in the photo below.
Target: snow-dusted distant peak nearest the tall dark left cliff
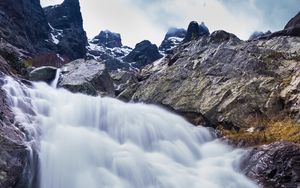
{"x": 108, "y": 39}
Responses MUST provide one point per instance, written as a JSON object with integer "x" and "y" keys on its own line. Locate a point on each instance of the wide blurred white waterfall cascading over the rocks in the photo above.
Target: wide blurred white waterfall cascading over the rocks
{"x": 92, "y": 142}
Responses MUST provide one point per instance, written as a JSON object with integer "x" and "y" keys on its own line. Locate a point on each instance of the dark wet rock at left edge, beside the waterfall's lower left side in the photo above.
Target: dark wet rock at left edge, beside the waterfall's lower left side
{"x": 14, "y": 155}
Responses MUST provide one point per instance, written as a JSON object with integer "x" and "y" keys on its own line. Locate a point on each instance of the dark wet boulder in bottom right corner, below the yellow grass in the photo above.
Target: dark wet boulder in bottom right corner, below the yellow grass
{"x": 274, "y": 165}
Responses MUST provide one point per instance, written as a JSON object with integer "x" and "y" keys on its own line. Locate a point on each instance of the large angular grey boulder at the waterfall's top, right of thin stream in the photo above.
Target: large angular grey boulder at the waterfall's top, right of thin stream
{"x": 88, "y": 77}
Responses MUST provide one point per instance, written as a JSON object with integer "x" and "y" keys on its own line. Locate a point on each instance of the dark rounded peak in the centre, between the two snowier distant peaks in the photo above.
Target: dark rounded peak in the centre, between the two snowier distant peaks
{"x": 143, "y": 54}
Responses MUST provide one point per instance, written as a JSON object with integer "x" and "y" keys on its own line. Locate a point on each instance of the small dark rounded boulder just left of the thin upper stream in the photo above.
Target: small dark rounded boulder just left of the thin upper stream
{"x": 46, "y": 74}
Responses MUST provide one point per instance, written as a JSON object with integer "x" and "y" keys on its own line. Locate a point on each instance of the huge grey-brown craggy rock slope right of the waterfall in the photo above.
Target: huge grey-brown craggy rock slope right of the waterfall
{"x": 220, "y": 80}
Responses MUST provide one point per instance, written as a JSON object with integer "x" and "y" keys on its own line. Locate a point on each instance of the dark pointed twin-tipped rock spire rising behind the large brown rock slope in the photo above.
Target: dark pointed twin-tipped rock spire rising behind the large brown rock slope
{"x": 195, "y": 31}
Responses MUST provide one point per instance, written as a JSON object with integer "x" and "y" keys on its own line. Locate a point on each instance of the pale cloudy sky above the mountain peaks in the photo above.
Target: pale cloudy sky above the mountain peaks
{"x": 137, "y": 20}
